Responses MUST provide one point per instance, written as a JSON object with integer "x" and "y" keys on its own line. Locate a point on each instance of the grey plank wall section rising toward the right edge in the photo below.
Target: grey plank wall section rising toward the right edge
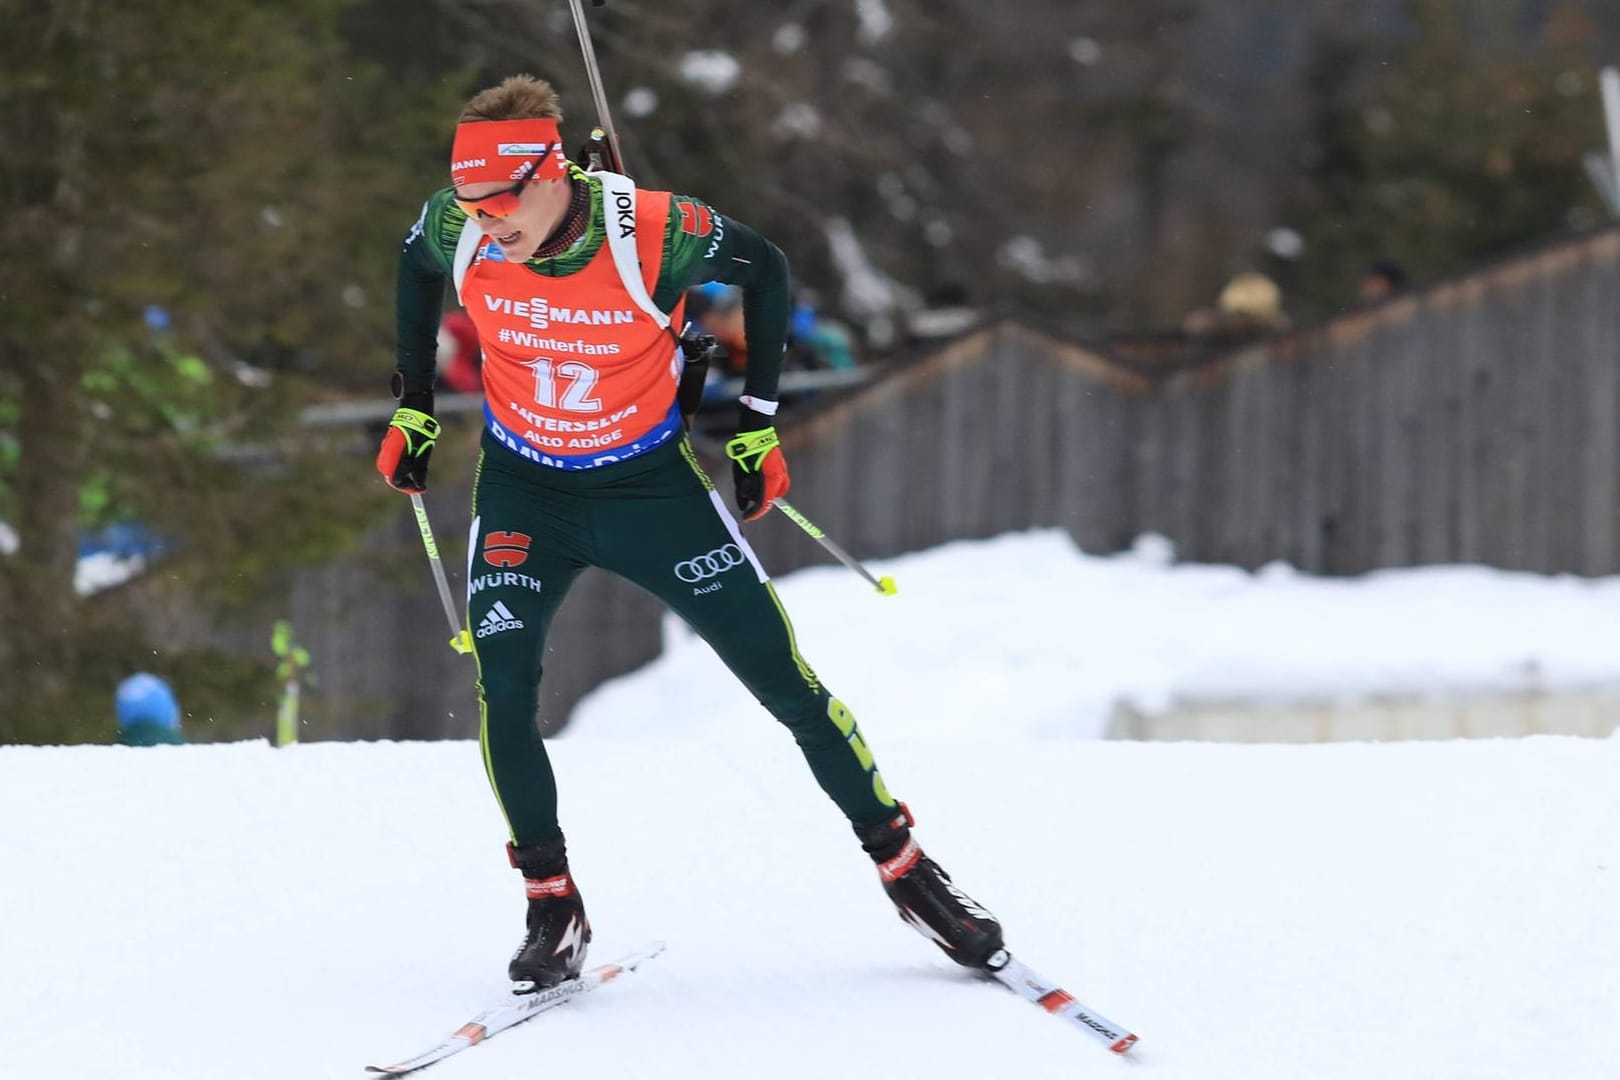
{"x": 1475, "y": 422}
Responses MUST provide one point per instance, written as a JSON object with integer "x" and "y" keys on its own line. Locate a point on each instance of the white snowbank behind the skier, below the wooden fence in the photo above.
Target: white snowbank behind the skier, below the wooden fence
{"x": 1030, "y": 637}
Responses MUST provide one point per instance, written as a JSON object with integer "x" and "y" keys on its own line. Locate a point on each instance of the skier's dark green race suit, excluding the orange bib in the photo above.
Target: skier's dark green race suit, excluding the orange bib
{"x": 654, "y": 519}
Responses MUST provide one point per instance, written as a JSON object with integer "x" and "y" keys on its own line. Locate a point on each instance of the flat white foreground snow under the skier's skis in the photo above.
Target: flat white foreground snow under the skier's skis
{"x": 1407, "y": 911}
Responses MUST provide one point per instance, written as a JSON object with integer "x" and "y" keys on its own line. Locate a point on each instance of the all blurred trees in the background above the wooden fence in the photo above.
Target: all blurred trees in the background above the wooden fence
{"x": 249, "y": 169}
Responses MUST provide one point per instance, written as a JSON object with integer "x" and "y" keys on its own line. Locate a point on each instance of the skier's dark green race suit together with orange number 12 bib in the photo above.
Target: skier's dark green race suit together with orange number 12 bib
{"x": 586, "y": 464}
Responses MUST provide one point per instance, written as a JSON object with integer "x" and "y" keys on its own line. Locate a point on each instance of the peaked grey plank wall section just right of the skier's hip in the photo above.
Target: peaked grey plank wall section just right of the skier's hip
{"x": 1007, "y": 430}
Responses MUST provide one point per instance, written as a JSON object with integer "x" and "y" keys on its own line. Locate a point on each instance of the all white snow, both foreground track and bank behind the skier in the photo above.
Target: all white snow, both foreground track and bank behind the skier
{"x": 1405, "y": 911}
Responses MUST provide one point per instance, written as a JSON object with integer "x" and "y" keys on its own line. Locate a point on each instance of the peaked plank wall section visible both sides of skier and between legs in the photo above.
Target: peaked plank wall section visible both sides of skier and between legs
{"x": 1007, "y": 430}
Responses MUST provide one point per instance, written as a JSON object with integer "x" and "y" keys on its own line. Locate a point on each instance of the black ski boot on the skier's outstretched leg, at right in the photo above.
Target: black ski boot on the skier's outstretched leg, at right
{"x": 927, "y": 899}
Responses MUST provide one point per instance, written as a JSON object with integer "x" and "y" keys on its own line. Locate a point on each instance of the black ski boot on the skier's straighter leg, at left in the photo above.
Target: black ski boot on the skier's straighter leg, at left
{"x": 558, "y": 930}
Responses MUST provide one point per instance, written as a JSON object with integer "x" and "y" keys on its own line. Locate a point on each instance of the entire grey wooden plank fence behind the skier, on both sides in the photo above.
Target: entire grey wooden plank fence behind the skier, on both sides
{"x": 1473, "y": 422}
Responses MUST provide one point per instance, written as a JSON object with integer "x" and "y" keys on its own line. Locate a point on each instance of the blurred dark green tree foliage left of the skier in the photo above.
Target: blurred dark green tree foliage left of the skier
{"x": 220, "y": 163}
